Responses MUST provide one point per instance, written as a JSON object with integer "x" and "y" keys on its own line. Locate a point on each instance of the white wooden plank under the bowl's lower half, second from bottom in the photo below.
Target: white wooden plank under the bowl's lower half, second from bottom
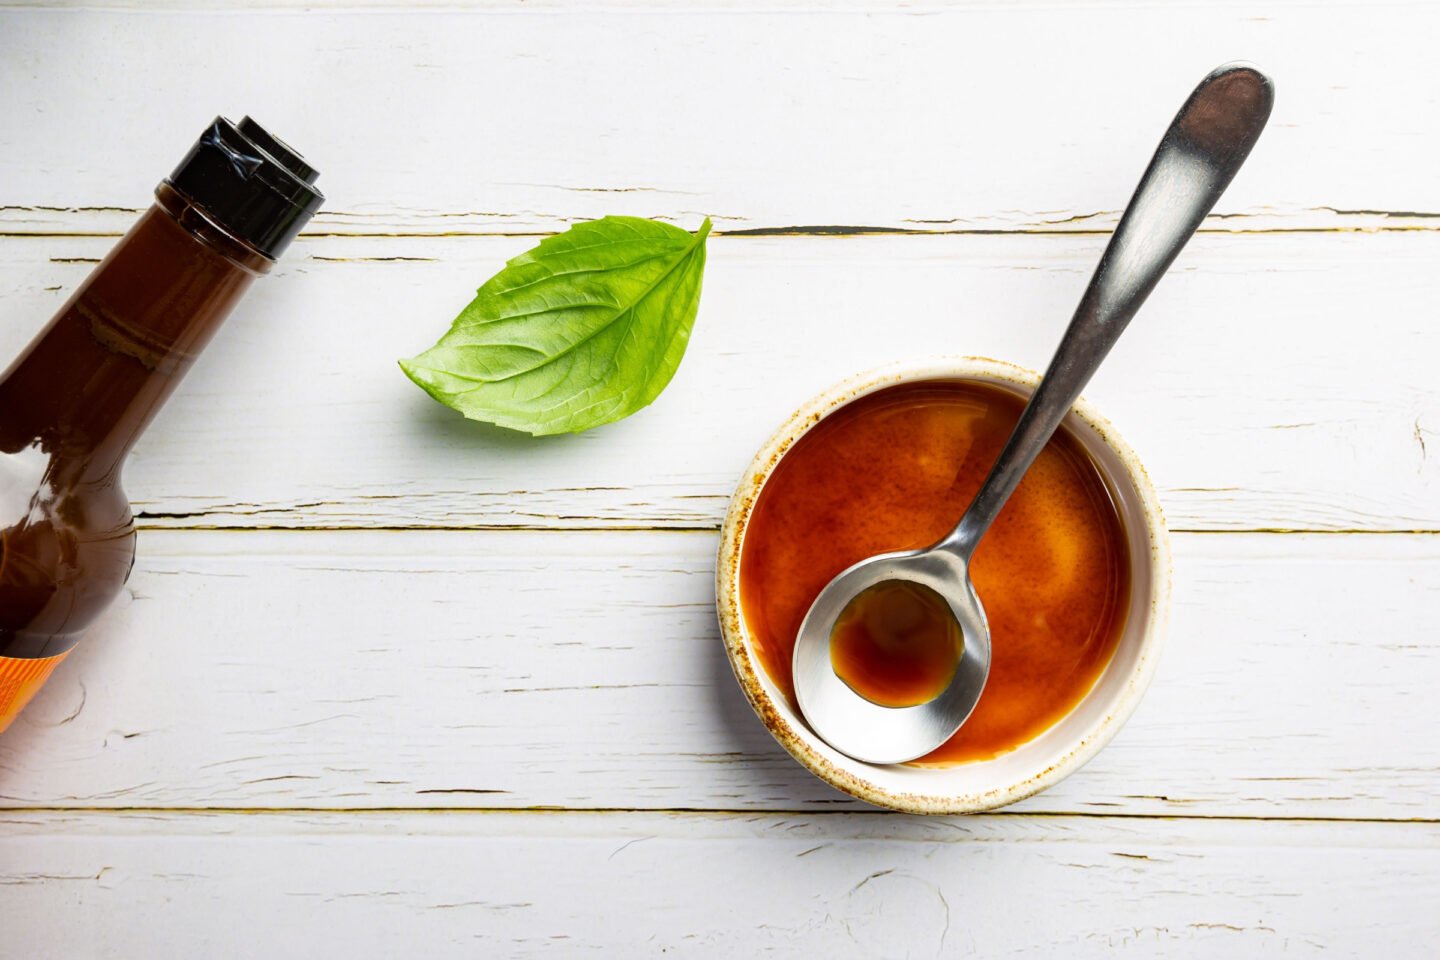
{"x": 521, "y": 670}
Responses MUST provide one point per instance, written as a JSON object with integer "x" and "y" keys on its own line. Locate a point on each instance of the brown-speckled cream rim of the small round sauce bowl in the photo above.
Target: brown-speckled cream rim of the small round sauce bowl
{"x": 737, "y": 637}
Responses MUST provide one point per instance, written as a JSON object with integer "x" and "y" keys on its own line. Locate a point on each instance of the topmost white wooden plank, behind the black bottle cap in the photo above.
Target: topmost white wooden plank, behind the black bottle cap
{"x": 968, "y": 116}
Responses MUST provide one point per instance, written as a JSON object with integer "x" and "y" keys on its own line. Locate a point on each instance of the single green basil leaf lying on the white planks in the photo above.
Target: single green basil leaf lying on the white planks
{"x": 582, "y": 330}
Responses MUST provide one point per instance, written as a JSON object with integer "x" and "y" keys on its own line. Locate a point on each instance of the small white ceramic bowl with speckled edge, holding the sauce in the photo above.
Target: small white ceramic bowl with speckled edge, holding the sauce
{"x": 1056, "y": 753}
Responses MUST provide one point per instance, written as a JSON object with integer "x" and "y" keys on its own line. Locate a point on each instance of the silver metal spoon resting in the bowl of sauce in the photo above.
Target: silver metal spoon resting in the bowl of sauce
{"x": 1199, "y": 156}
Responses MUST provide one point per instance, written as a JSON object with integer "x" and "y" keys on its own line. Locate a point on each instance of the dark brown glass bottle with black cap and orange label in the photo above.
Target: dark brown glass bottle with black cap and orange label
{"x": 80, "y": 397}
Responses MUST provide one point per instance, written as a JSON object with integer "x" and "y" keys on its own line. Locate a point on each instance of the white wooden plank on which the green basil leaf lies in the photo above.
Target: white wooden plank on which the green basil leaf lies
{"x": 1274, "y": 382}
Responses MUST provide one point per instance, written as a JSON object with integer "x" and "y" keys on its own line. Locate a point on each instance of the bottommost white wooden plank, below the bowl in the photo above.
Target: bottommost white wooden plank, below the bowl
{"x": 523, "y": 886}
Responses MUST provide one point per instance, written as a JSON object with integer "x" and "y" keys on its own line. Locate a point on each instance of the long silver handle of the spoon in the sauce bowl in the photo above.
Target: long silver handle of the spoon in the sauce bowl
{"x": 1199, "y": 156}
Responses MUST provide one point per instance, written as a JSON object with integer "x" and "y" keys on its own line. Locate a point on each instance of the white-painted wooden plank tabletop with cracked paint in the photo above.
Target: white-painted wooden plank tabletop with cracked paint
{"x": 394, "y": 684}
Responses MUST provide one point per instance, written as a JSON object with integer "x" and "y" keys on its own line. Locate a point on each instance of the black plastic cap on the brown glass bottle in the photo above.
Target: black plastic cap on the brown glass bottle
{"x": 251, "y": 184}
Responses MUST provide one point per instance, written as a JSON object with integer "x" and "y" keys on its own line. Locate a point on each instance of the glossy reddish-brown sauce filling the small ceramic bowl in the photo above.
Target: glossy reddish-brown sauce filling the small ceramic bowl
{"x": 895, "y": 471}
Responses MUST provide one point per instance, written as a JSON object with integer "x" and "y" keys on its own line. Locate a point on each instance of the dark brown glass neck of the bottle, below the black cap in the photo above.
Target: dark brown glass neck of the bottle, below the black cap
{"x": 94, "y": 379}
